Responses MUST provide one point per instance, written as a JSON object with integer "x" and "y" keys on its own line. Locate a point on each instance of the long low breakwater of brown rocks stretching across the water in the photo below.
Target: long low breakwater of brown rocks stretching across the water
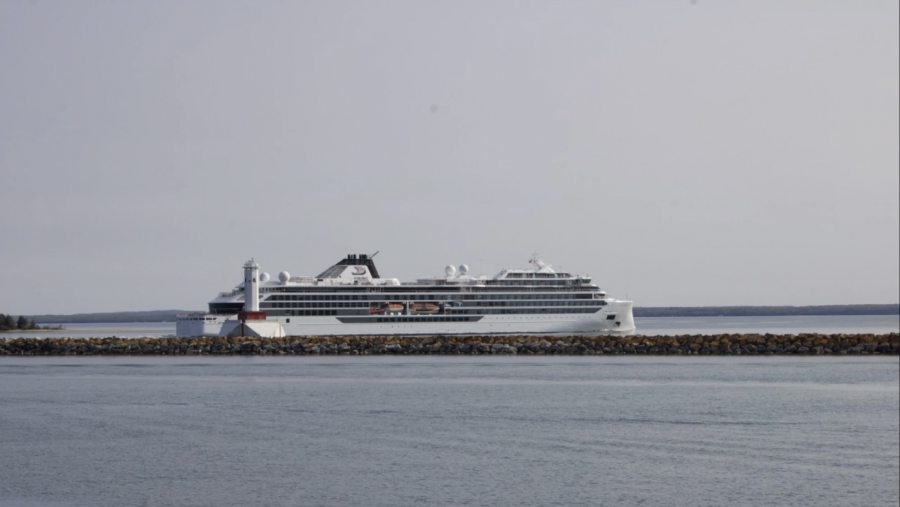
{"x": 703, "y": 345}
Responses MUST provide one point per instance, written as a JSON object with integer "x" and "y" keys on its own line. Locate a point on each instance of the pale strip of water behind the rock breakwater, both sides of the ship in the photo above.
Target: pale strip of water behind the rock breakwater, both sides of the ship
{"x": 647, "y": 326}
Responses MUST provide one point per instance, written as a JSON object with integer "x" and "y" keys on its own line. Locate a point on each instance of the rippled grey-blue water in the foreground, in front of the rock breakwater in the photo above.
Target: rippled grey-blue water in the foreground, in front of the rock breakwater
{"x": 387, "y": 431}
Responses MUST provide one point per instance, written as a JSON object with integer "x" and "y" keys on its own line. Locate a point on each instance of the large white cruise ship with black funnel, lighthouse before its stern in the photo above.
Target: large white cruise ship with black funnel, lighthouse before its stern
{"x": 351, "y": 298}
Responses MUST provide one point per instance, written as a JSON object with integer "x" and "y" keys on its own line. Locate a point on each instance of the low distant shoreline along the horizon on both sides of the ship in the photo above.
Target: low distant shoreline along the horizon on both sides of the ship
{"x": 652, "y": 311}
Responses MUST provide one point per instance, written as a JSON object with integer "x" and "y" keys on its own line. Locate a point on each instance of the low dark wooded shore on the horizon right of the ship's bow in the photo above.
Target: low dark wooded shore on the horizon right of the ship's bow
{"x": 765, "y": 311}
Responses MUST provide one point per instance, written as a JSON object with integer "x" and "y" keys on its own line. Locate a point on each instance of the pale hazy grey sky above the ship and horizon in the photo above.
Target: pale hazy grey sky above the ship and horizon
{"x": 682, "y": 153}
